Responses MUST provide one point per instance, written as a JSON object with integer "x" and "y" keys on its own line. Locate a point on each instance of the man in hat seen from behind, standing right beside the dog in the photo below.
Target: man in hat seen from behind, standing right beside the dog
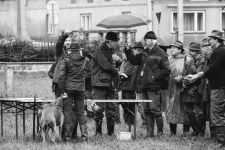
{"x": 72, "y": 85}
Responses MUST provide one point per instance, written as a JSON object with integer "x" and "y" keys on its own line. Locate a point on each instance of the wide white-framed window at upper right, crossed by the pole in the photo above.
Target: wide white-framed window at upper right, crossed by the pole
{"x": 193, "y": 21}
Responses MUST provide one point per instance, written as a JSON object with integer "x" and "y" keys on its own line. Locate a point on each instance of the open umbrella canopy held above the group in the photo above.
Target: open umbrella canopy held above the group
{"x": 122, "y": 21}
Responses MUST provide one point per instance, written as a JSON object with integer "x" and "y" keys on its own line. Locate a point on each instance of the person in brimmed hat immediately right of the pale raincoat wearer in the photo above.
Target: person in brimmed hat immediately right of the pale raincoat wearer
{"x": 191, "y": 95}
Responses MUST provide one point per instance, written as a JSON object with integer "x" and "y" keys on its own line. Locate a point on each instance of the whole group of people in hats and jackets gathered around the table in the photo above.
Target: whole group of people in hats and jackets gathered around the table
{"x": 195, "y": 81}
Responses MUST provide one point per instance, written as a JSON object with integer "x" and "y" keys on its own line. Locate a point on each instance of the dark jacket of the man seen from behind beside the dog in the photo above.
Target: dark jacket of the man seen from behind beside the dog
{"x": 72, "y": 72}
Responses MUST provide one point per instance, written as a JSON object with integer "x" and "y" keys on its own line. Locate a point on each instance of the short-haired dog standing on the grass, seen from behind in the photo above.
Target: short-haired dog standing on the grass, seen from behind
{"x": 51, "y": 115}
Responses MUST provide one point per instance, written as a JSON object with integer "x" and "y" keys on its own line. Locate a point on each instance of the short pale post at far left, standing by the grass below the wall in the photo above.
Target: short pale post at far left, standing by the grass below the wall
{"x": 8, "y": 80}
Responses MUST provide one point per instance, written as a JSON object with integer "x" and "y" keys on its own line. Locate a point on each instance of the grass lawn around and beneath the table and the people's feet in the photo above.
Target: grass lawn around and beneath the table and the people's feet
{"x": 27, "y": 85}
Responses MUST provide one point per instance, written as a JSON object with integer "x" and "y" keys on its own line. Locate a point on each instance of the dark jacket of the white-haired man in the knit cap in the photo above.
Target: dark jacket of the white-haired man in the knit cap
{"x": 154, "y": 68}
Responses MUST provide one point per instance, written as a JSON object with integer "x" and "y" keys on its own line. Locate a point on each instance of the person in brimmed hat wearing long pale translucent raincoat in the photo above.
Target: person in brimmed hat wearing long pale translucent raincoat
{"x": 175, "y": 111}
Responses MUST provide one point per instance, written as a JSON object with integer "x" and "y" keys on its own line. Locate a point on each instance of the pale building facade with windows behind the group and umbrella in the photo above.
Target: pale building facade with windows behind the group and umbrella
{"x": 200, "y": 17}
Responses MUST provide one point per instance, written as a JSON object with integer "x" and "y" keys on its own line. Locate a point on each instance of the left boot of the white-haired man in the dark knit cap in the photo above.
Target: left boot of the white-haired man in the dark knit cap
{"x": 150, "y": 125}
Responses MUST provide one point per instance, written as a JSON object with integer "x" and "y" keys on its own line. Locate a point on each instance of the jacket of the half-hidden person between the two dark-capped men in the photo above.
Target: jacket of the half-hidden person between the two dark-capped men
{"x": 128, "y": 69}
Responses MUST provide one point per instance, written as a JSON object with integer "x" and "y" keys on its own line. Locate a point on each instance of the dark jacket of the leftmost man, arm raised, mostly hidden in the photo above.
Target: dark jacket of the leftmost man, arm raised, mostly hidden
{"x": 59, "y": 54}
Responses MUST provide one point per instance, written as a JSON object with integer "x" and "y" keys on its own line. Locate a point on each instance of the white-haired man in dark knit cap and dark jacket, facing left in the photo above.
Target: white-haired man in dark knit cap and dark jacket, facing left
{"x": 154, "y": 69}
